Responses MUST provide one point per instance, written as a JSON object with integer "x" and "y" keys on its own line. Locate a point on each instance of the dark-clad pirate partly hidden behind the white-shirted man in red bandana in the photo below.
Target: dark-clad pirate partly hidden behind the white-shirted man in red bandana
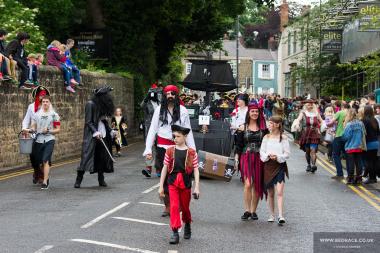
{"x": 150, "y": 103}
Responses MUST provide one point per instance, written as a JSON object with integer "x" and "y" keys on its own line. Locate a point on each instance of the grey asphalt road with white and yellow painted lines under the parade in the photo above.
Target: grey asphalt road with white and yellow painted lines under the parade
{"x": 90, "y": 219}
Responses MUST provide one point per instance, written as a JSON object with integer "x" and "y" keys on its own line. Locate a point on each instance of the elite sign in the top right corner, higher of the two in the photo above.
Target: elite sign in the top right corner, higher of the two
{"x": 369, "y": 16}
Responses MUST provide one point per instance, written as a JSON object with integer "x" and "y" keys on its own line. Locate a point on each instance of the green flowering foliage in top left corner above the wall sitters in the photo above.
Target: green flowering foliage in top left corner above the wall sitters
{"x": 15, "y": 18}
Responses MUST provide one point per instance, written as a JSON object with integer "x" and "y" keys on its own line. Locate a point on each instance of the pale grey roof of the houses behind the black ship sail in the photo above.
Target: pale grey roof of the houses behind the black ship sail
{"x": 255, "y": 54}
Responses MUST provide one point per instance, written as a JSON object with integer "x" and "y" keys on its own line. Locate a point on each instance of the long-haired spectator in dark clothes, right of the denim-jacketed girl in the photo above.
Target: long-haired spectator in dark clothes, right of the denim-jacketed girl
{"x": 372, "y": 143}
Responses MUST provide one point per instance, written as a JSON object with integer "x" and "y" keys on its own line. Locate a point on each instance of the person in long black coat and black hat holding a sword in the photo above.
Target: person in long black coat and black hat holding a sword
{"x": 95, "y": 158}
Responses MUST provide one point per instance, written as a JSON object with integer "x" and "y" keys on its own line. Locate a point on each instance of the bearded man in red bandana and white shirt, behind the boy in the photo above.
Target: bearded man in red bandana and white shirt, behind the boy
{"x": 170, "y": 112}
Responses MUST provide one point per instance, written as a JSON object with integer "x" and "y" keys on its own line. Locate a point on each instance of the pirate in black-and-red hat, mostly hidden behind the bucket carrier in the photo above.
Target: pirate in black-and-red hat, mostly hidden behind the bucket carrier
{"x": 37, "y": 94}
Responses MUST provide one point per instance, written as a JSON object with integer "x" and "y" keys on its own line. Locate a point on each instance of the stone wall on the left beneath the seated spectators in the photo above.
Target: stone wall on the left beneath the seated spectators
{"x": 70, "y": 107}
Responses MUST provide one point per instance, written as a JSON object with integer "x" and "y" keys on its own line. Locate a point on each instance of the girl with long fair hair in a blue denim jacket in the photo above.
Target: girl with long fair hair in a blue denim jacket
{"x": 353, "y": 134}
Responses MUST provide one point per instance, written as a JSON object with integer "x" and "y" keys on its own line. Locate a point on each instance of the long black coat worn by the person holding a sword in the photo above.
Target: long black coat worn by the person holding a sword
{"x": 94, "y": 157}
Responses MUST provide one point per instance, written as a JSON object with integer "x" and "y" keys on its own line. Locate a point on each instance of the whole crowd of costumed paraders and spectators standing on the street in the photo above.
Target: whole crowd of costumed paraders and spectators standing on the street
{"x": 349, "y": 130}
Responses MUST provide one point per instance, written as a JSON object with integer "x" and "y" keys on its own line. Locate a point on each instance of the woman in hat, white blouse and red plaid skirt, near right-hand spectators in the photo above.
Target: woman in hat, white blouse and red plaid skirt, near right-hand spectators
{"x": 310, "y": 120}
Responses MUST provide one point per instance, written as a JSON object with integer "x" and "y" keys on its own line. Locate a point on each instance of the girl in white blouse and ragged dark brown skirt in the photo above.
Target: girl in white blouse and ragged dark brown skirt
{"x": 274, "y": 152}
